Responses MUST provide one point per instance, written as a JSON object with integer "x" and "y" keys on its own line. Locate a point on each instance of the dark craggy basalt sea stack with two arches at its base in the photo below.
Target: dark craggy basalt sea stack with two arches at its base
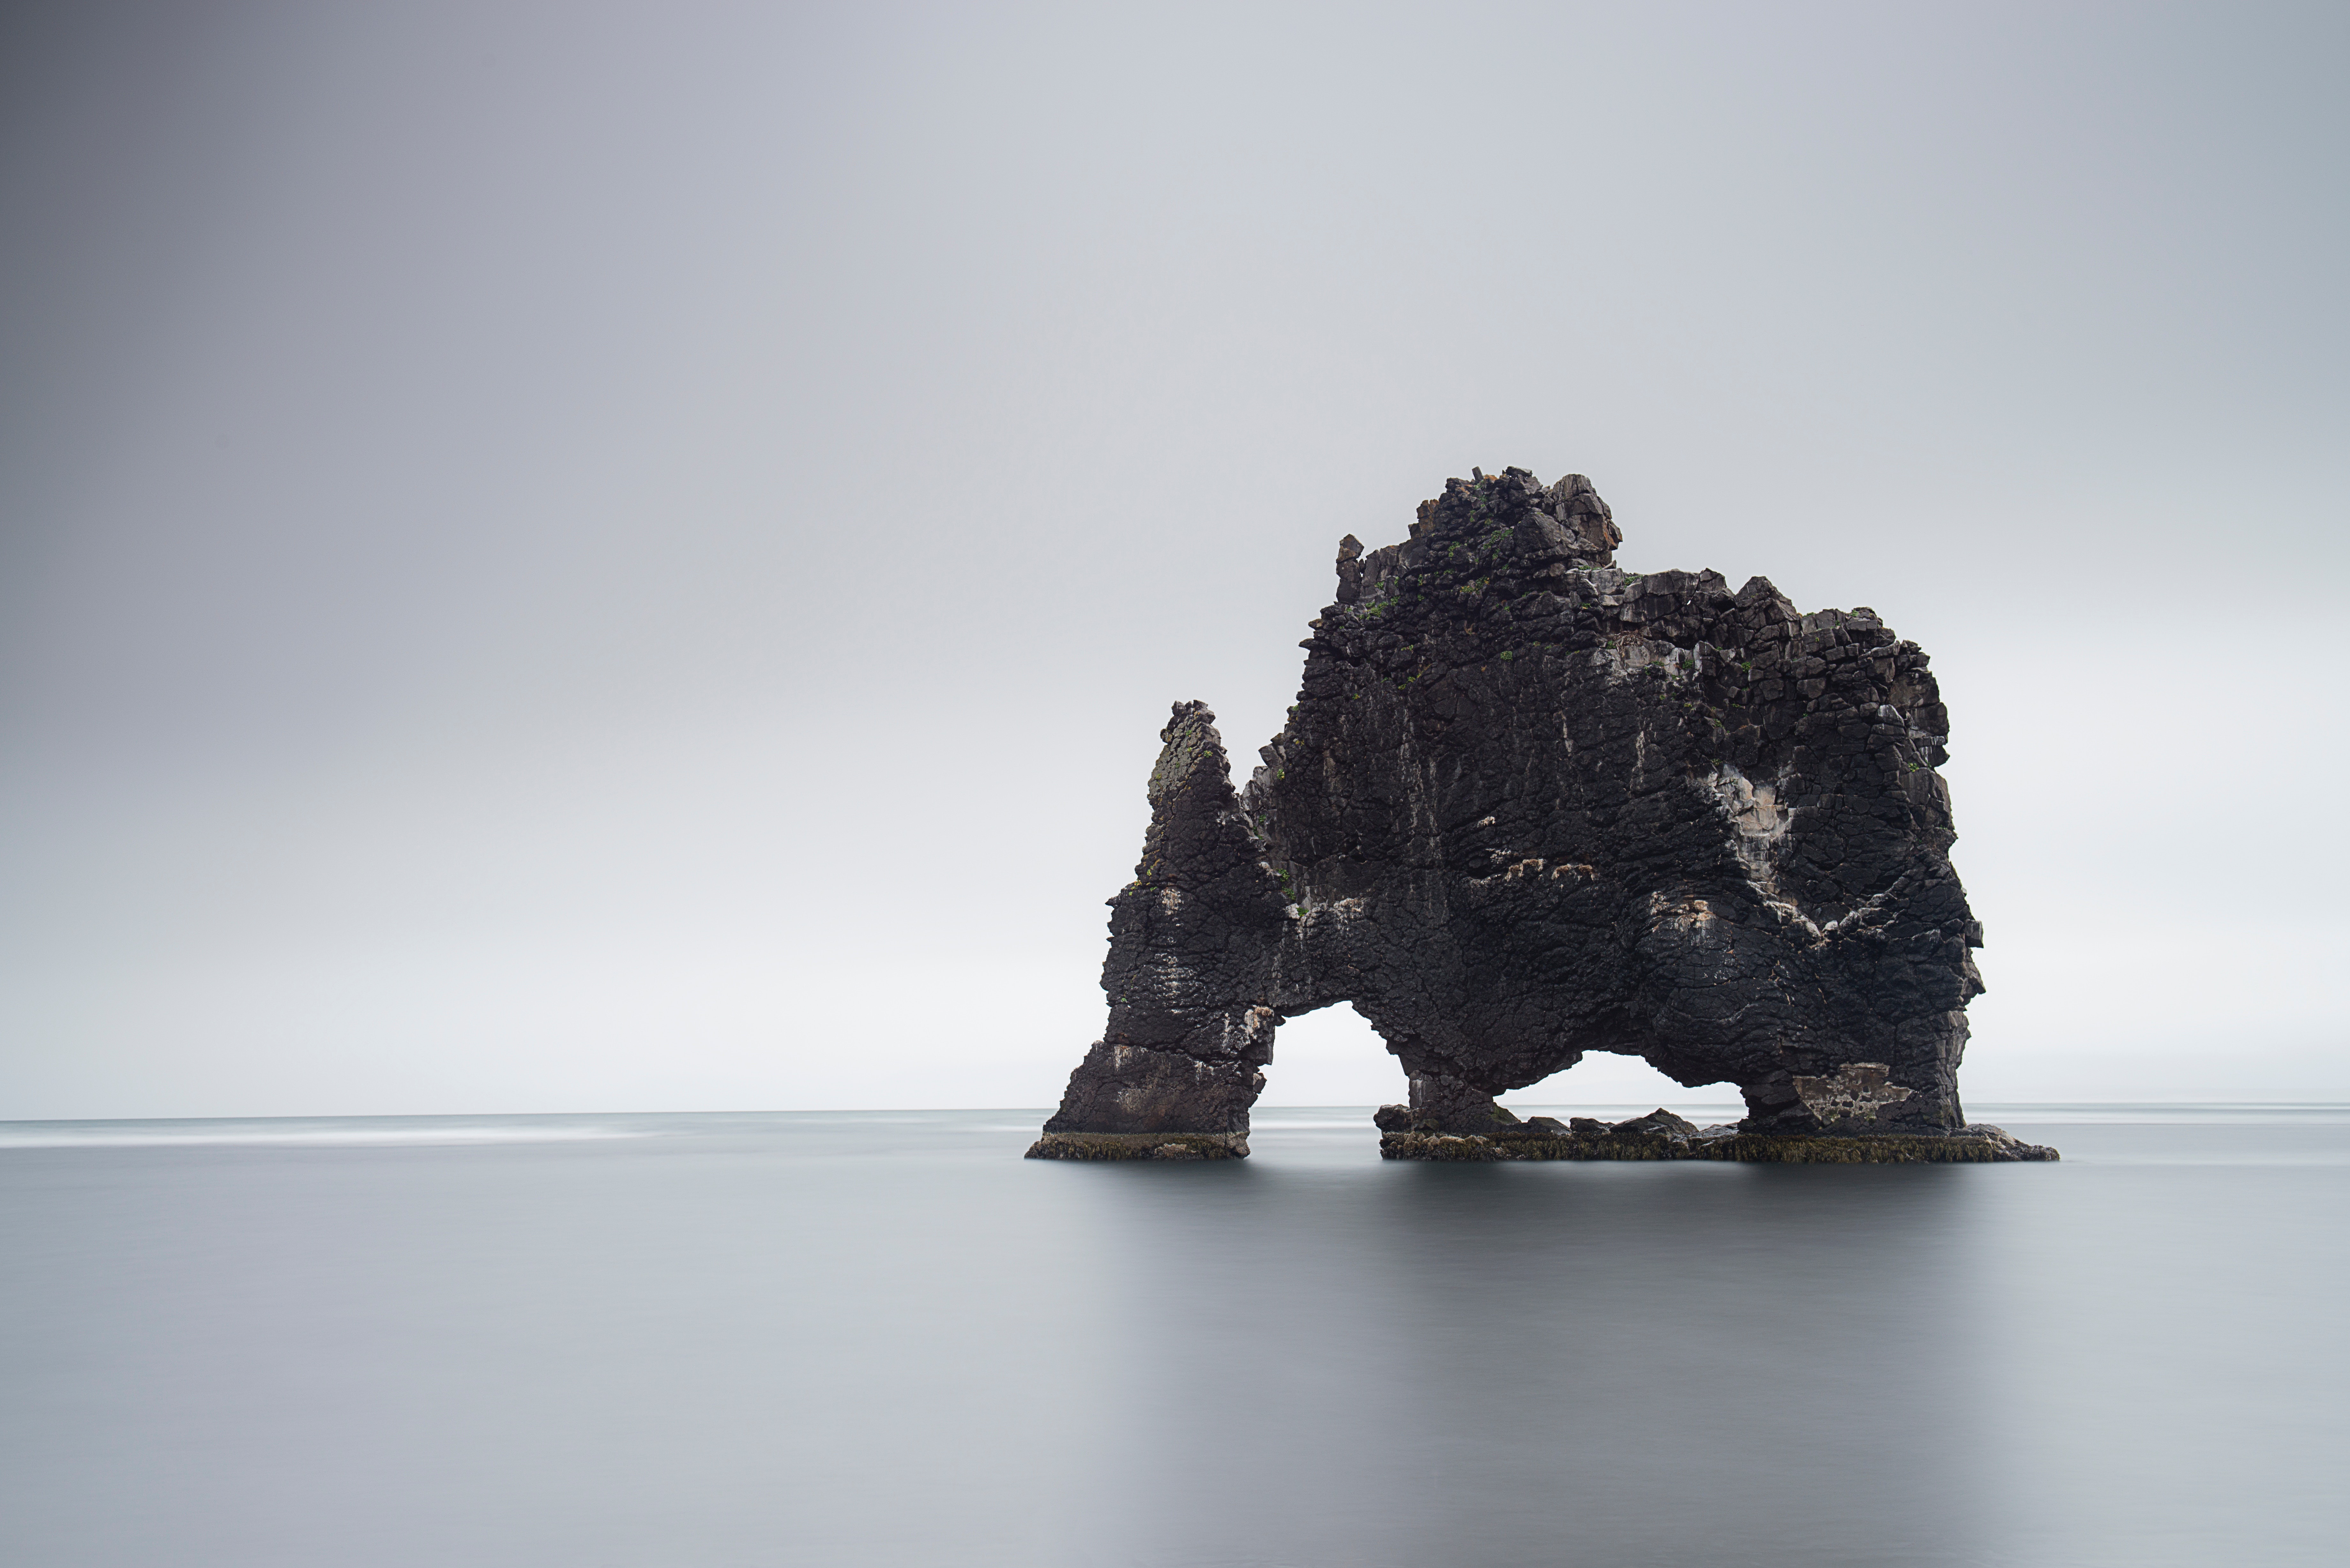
{"x": 1529, "y": 808}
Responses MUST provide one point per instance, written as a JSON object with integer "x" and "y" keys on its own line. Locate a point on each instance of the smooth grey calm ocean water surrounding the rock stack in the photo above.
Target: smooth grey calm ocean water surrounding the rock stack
{"x": 887, "y": 1341}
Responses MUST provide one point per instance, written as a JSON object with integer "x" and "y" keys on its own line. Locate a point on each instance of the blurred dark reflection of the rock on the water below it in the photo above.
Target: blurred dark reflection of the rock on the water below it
{"x": 1496, "y": 1365}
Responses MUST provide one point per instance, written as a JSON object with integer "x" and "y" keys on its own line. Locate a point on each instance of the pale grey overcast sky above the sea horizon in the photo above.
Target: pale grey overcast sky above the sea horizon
{"x": 633, "y": 556}
